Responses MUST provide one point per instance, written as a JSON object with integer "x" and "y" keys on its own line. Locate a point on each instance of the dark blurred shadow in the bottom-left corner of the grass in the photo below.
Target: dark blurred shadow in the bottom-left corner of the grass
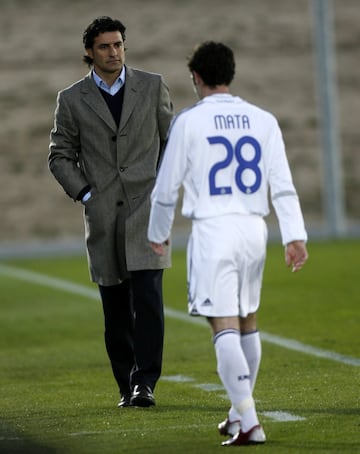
{"x": 13, "y": 442}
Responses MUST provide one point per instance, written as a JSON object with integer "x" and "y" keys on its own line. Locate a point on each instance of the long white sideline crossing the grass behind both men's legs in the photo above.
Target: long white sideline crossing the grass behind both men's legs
{"x": 82, "y": 290}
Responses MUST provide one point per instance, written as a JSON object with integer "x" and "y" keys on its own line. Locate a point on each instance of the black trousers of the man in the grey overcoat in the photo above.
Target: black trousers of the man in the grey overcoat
{"x": 134, "y": 328}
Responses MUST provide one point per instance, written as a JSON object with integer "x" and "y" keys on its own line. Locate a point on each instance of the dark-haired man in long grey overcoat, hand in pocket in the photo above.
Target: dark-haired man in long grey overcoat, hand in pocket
{"x": 105, "y": 149}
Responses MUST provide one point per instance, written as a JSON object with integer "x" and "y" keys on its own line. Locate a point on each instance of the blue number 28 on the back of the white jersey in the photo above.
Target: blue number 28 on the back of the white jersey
{"x": 243, "y": 164}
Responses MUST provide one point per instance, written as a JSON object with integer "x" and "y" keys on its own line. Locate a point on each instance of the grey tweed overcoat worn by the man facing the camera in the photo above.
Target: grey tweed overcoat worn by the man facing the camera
{"x": 120, "y": 165}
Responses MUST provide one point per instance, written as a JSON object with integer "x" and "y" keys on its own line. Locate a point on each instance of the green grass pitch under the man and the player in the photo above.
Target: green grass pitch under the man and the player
{"x": 57, "y": 394}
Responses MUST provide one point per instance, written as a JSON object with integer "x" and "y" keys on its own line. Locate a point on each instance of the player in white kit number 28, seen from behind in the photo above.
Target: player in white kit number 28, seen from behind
{"x": 227, "y": 153}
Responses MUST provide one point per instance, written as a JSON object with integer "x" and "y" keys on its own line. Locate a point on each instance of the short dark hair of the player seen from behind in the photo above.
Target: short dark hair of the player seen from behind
{"x": 214, "y": 62}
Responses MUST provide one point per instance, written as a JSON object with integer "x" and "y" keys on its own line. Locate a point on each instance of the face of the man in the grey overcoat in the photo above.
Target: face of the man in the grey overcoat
{"x": 108, "y": 53}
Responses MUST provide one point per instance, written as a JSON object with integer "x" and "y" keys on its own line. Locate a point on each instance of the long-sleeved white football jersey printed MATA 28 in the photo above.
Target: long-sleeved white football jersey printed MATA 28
{"x": 226, "y": 153}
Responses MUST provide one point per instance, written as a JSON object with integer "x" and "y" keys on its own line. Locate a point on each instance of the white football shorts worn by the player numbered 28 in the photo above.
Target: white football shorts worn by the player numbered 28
{"x": 225, "y": 263}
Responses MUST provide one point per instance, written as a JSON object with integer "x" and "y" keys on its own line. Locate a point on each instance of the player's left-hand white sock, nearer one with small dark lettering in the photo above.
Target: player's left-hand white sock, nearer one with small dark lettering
{"x": 234, "y": 373}
